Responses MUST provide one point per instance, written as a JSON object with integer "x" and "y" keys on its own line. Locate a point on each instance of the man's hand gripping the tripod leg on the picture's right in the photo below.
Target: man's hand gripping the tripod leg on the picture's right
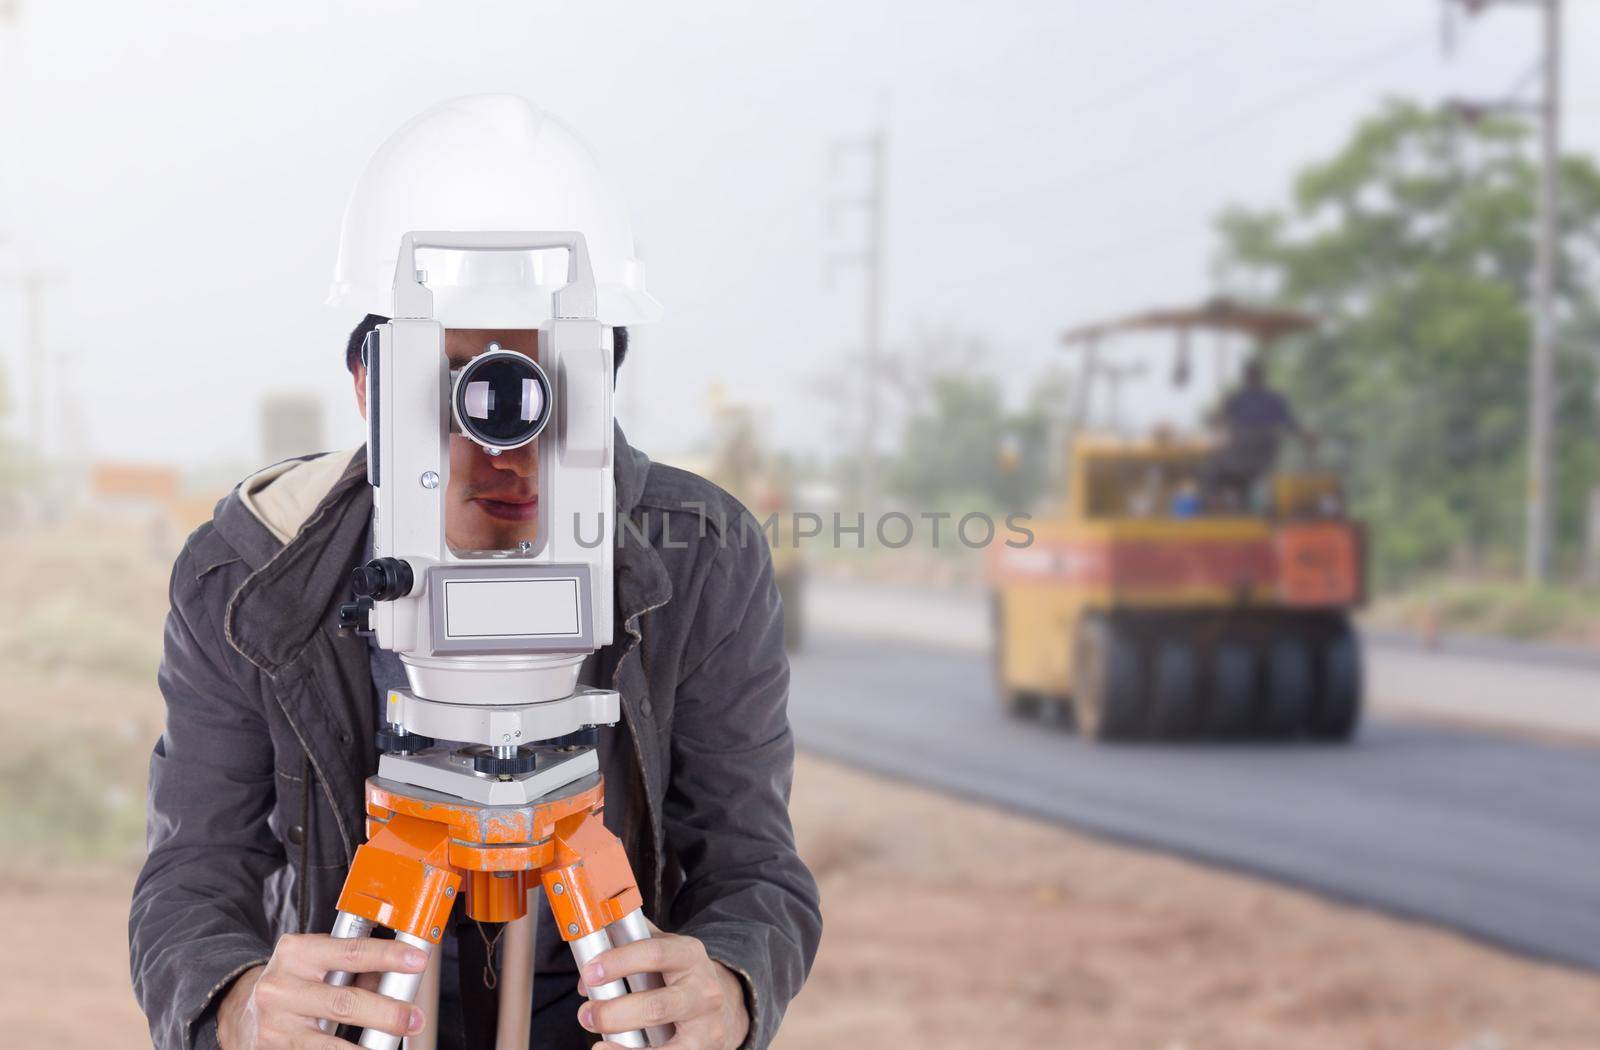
{"x": 703, "y": 998}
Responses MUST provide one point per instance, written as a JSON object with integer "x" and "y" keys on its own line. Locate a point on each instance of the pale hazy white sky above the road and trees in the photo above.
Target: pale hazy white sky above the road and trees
{"x": 182, "y": 167}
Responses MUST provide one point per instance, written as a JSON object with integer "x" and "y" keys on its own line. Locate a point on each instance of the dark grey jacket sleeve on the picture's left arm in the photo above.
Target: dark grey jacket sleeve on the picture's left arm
{"x": 198, "y": 918}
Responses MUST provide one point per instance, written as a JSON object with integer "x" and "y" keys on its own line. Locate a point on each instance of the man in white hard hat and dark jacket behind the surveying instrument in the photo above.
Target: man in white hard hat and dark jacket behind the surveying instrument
{"x": 257, "y": 801}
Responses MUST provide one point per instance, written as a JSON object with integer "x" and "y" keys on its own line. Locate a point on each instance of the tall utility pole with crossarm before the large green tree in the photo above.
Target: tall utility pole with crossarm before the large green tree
{"x": 1542, "y": 363}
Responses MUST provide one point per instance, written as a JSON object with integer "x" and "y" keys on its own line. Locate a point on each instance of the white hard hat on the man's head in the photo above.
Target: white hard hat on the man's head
{"x": 487, "y": 162}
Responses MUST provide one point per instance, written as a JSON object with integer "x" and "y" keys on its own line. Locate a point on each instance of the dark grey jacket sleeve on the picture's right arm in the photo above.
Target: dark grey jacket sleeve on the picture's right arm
{"x": 746, "y": 892}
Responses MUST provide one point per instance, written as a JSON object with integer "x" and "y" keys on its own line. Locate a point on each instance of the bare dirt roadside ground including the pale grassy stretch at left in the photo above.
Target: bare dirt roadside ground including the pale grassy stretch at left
{"x": 950, "y": 926}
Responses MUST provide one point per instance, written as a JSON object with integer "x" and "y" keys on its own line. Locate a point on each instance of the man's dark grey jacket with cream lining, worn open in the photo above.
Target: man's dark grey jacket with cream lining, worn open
{"x": 257, "y": 782}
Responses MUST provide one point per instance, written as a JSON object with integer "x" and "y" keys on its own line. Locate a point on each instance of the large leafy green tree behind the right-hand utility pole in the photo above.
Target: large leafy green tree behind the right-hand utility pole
{"x": 1415, "y": 244}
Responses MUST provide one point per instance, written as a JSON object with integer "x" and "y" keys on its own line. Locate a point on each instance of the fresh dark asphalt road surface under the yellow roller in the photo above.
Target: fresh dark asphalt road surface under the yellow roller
{"x": 1497, "y": 836}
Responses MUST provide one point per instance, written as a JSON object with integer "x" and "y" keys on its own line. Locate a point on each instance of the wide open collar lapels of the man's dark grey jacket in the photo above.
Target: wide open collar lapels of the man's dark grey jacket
{"x": 295, "y": 587}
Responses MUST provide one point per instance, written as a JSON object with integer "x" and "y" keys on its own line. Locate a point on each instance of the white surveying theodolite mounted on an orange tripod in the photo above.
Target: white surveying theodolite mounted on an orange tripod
{"x": 489, "y": 785}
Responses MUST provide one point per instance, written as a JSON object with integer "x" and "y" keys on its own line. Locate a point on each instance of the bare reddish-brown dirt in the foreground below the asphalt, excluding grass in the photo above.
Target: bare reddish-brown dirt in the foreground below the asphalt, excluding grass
{"x": 951, "y": 926}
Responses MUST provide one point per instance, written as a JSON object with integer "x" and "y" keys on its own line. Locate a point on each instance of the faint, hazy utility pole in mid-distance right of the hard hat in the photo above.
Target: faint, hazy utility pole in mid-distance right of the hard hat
{"x": 871, "y": 204}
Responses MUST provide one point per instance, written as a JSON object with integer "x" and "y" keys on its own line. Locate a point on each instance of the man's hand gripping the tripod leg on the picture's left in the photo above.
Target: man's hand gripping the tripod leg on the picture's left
{"x": 279, "y": 1004}
